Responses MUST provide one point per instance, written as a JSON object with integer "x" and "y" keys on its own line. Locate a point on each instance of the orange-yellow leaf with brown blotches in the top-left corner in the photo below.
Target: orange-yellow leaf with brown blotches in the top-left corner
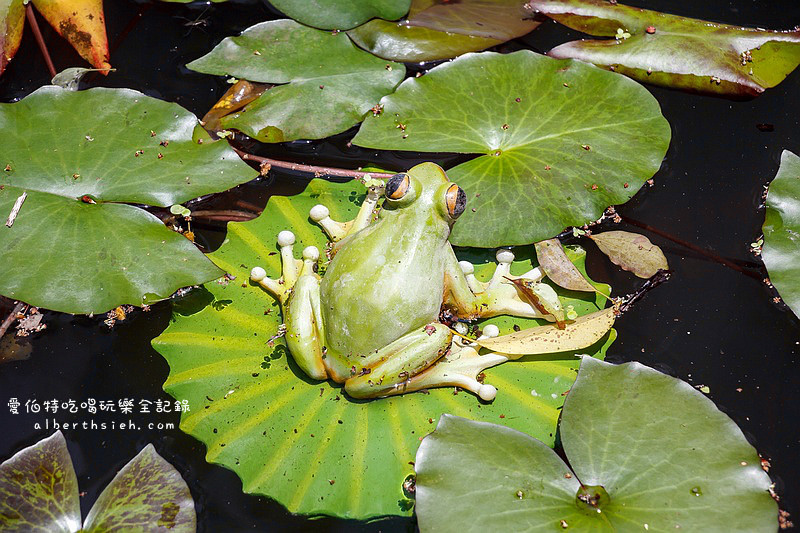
{"x": 81, "y": 22}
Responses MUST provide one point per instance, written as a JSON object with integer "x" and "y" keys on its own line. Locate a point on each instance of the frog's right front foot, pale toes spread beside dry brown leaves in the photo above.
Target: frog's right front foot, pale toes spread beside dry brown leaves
{"x": 499, "y": 296}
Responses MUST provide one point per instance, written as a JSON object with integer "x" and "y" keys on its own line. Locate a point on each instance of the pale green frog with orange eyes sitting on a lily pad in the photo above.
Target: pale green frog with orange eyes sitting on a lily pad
{"x": 372, "y": 322}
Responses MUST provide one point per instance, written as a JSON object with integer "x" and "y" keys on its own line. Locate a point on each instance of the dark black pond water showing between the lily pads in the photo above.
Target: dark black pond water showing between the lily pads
{"x": 710, "y": 324}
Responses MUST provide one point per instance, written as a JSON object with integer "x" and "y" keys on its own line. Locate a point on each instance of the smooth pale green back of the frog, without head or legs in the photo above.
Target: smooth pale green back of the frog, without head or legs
{"x": 378, "y": 289}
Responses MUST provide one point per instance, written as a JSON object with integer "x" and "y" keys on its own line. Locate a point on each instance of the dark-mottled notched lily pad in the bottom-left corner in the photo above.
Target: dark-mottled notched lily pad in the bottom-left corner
{"x": 39, "y": 492}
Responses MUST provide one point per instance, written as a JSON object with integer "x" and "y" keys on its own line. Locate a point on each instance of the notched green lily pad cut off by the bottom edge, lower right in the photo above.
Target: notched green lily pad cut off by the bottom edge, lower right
{"x": 687, "y": 467}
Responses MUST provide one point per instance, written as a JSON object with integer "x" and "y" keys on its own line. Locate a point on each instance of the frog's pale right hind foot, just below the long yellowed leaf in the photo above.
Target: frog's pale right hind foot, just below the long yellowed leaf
{"x": 460, "y": 367}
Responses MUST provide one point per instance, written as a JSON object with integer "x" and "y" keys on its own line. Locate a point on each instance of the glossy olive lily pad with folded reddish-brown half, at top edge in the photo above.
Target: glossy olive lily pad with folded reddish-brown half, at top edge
{"x": 440, "y": 29}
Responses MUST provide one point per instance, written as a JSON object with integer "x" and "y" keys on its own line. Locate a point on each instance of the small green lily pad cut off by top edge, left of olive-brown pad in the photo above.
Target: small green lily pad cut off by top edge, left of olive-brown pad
{"x": 341, "y": 14}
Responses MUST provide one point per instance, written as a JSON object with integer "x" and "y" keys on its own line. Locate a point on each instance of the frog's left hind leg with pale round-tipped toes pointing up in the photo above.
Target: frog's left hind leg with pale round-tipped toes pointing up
{"x": 298, "y": 293}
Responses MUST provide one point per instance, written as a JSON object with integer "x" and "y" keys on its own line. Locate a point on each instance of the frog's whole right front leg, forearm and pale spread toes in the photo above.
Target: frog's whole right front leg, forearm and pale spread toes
{"x": 471, "y": 298}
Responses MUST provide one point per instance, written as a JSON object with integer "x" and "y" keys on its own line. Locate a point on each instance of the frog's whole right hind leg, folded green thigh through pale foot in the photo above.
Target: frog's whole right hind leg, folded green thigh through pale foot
{"x": 423, "y": 359}
